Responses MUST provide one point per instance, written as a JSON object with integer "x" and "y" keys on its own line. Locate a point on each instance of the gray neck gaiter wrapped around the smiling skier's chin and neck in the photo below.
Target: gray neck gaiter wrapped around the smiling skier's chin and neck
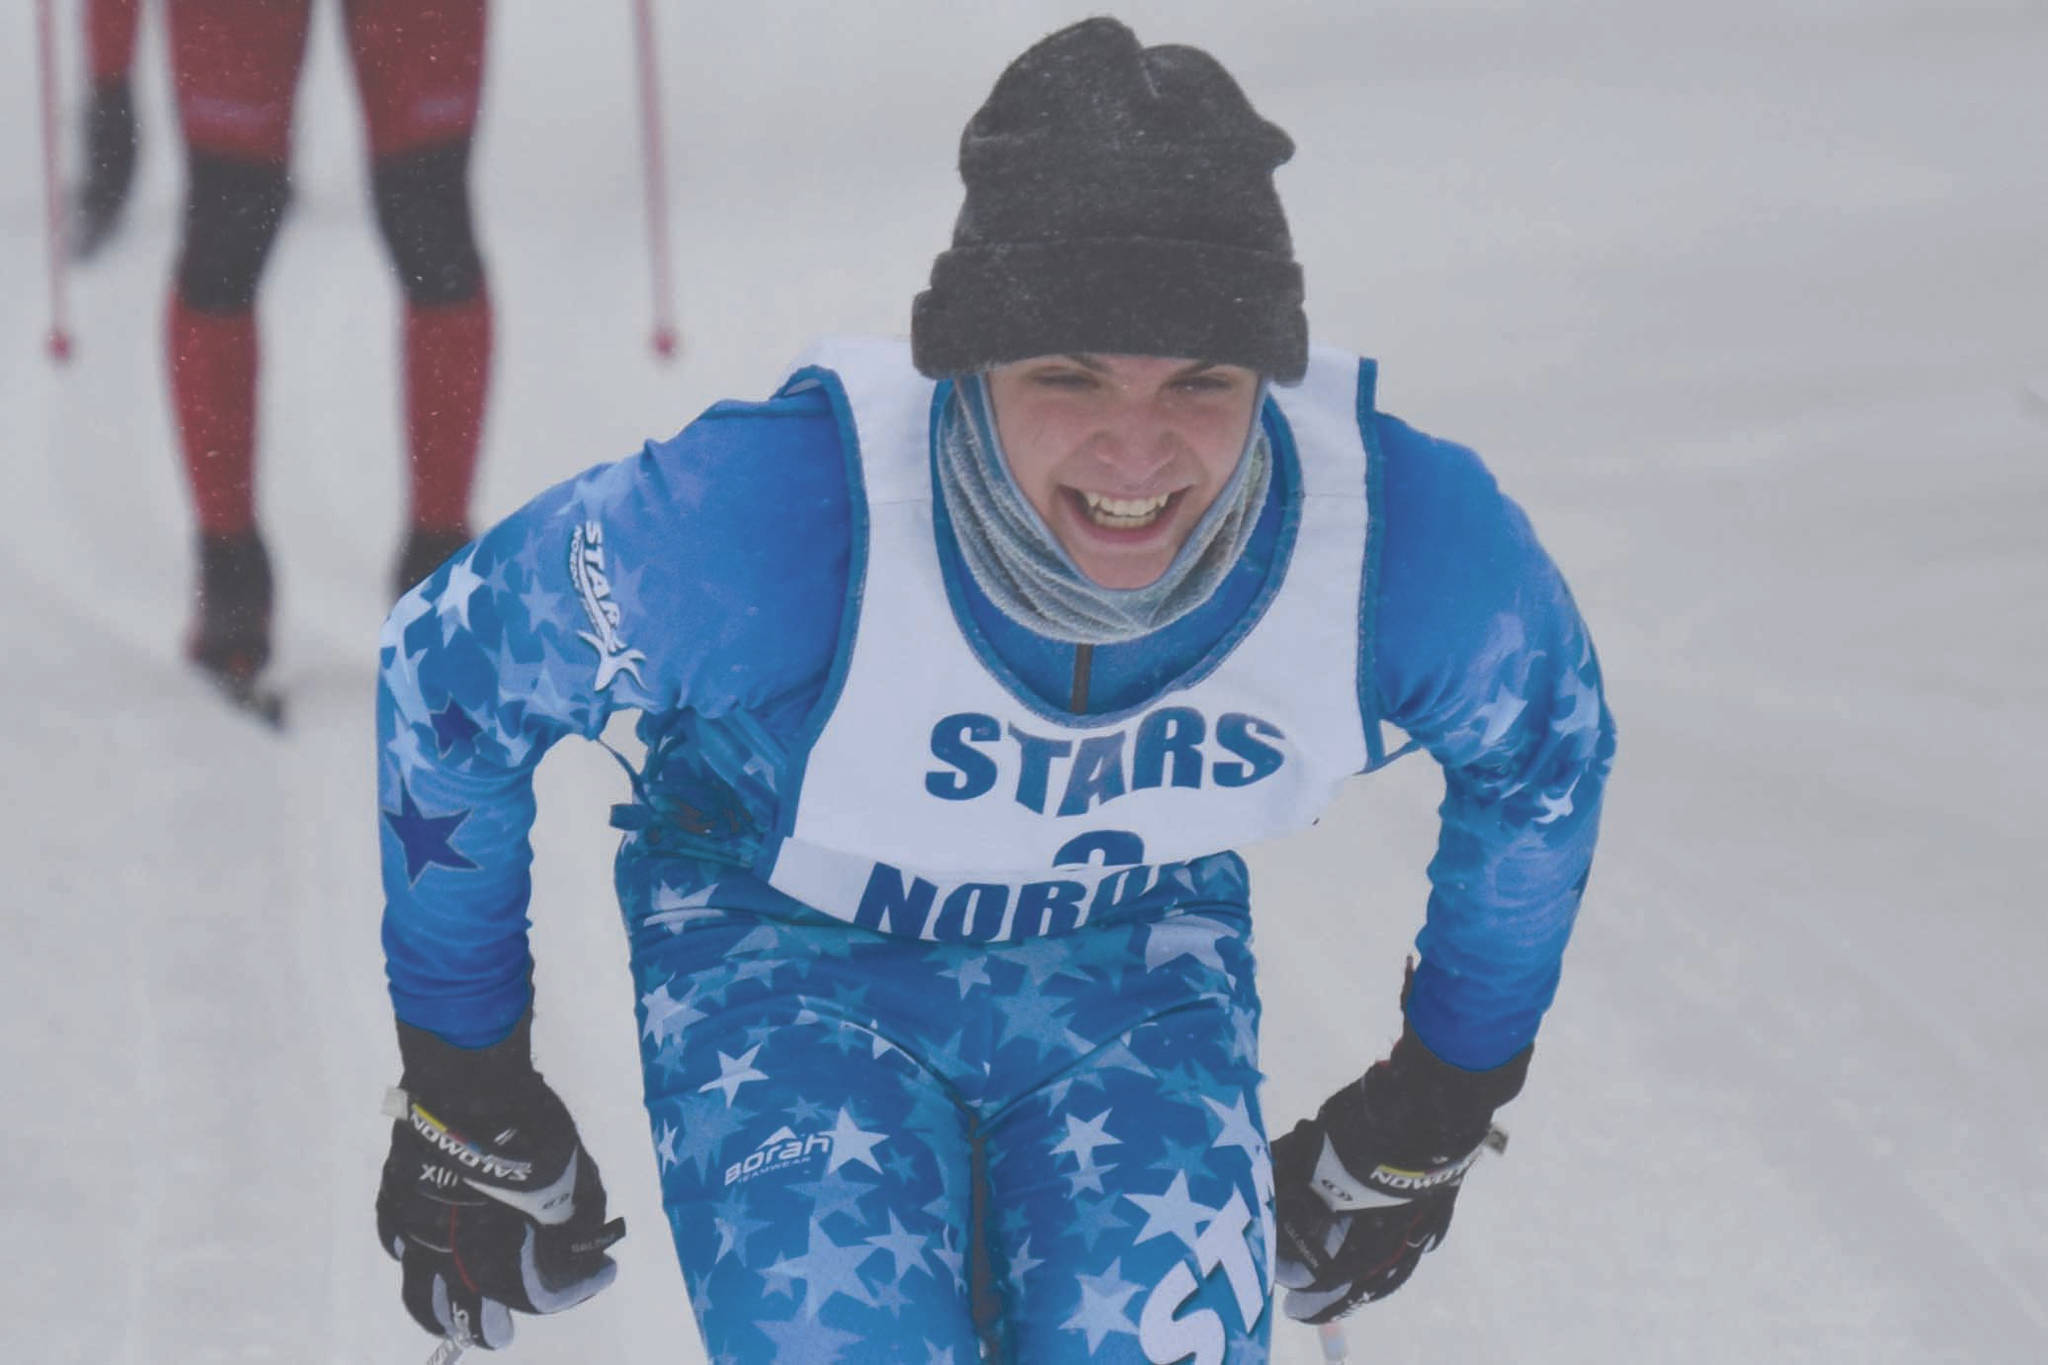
{"x": 1029, "y": 576}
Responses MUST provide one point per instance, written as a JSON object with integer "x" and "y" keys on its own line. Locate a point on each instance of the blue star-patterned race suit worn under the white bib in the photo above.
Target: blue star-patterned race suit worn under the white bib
{"x": 839, "y": 1110}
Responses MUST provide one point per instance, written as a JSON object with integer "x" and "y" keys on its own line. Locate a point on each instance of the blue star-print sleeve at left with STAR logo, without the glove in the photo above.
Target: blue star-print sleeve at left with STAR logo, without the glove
{"x": 685, "y": 578}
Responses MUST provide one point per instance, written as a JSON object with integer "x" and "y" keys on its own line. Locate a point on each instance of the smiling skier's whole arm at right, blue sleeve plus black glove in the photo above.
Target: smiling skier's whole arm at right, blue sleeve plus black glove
{"x": 1480, "y": 654}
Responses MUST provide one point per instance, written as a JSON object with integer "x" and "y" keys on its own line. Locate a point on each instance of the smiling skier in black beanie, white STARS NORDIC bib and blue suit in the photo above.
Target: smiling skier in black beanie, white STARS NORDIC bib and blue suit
{"x": 962, "y": 668}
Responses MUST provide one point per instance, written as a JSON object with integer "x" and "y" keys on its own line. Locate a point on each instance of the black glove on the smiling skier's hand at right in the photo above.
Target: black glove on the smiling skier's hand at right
{"x": 1367, "y": 1186}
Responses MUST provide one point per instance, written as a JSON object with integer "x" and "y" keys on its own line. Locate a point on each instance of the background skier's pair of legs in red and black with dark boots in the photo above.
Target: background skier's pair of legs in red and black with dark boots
{"x": 237, "y": 69}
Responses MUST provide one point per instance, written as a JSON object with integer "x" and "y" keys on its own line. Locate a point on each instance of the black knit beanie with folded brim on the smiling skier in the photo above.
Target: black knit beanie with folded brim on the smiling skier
{"x": 1119, "y": 202}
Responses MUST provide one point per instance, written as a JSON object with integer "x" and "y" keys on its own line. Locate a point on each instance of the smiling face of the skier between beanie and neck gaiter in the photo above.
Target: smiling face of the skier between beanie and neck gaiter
{"x": 1121, "y": 455}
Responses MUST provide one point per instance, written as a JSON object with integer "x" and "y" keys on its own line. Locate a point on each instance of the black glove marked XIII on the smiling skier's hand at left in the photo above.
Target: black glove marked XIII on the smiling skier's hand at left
{"x": 488, "y": 1198}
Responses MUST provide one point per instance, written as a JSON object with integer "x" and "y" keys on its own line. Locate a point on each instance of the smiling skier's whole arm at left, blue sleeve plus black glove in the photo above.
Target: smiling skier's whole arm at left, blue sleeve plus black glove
{"x": 708, "y": 572}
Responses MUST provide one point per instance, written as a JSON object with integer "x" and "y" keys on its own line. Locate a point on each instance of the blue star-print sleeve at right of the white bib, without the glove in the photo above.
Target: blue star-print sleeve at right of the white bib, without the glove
{"x": 1482, "y": 658}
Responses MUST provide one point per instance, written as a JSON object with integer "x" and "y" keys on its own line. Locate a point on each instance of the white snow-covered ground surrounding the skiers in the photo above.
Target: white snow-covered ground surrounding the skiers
{"x": 1744, "y": 302}
